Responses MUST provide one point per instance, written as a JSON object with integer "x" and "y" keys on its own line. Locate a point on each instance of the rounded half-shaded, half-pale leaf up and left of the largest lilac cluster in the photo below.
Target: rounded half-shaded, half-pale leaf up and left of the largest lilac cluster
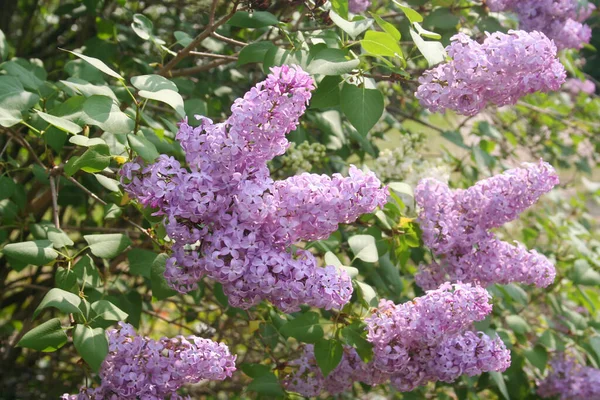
{"x": 104, "y": 113}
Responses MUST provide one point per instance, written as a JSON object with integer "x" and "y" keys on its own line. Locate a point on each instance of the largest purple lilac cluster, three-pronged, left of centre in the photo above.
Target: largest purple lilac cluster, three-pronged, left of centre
{"x": 230, "y": 221}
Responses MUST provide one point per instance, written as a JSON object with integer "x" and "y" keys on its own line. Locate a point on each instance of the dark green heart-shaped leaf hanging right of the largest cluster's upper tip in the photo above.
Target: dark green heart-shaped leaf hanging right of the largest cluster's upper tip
{"x": 363, "y": 107}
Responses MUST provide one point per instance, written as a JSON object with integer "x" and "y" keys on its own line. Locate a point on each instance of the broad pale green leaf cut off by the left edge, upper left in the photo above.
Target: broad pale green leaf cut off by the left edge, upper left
{"x": 14, "y": 100}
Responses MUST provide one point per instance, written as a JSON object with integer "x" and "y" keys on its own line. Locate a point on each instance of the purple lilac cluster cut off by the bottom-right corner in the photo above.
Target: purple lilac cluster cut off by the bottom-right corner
{"x": 569, "y": 380}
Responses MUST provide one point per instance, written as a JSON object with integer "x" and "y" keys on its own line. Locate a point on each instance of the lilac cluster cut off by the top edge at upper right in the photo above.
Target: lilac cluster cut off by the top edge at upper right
{"x": 560, "y": 20}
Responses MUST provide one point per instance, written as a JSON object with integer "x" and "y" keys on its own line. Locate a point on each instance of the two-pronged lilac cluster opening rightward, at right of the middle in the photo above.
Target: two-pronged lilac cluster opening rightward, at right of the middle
{"x": 456, "y": 227}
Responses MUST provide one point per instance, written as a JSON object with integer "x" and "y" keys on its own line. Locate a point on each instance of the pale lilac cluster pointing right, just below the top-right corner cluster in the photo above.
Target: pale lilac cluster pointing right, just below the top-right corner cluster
{"x": 504, "y": 68}
